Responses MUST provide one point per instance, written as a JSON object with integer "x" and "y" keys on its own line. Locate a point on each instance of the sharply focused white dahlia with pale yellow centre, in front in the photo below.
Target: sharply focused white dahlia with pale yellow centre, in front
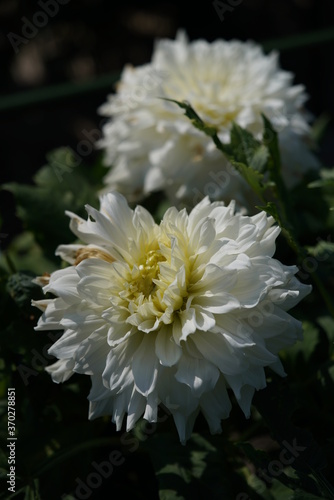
{"x": 177, "y": 313}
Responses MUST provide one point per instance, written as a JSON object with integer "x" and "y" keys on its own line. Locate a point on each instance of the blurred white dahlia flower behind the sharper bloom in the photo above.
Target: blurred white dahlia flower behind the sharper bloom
{"x": 152, "y": 146}
